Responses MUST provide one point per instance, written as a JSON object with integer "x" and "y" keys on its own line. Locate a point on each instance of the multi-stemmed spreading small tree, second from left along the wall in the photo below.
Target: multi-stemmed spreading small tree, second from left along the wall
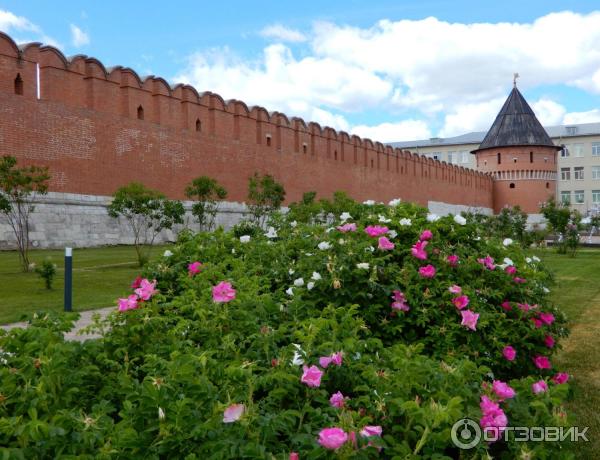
{"x": 148, "y": 212}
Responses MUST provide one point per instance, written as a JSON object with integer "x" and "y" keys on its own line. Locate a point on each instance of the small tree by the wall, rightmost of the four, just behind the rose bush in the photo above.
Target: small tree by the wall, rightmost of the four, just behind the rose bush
{"x": 265, "y": 195}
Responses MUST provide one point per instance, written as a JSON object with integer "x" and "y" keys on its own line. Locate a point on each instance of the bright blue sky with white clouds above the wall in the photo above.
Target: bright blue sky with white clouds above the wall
{"x": 387, "y": 70}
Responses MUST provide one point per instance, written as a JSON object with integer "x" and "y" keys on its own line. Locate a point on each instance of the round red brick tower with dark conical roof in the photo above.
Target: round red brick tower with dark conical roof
{"x": 520, "y": 156}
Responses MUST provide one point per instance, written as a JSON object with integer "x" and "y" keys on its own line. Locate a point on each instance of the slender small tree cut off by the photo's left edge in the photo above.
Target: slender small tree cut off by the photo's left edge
{"x": 18, "y": 190}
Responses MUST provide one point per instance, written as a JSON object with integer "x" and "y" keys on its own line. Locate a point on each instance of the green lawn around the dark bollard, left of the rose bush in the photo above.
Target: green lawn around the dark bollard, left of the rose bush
{"x": 100, "y": 275}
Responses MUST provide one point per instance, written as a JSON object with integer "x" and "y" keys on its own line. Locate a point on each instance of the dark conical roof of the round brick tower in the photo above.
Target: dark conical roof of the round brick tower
{"x": 516, "y": 124}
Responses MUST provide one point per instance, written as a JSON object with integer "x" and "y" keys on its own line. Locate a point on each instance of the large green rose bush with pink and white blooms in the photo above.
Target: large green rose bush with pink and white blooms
{"x": 309, "y": 340}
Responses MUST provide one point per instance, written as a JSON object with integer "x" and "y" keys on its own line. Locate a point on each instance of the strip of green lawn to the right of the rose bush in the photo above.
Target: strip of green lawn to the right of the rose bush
{"x": 578, "y": 293}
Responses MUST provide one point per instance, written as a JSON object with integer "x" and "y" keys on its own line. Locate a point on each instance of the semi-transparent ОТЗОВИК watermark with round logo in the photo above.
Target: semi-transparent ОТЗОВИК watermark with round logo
{"x": 467, "y": 433}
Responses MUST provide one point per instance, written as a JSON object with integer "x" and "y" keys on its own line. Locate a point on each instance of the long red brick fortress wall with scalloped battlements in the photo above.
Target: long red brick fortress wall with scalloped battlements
{"x": 85, "y": 129}
